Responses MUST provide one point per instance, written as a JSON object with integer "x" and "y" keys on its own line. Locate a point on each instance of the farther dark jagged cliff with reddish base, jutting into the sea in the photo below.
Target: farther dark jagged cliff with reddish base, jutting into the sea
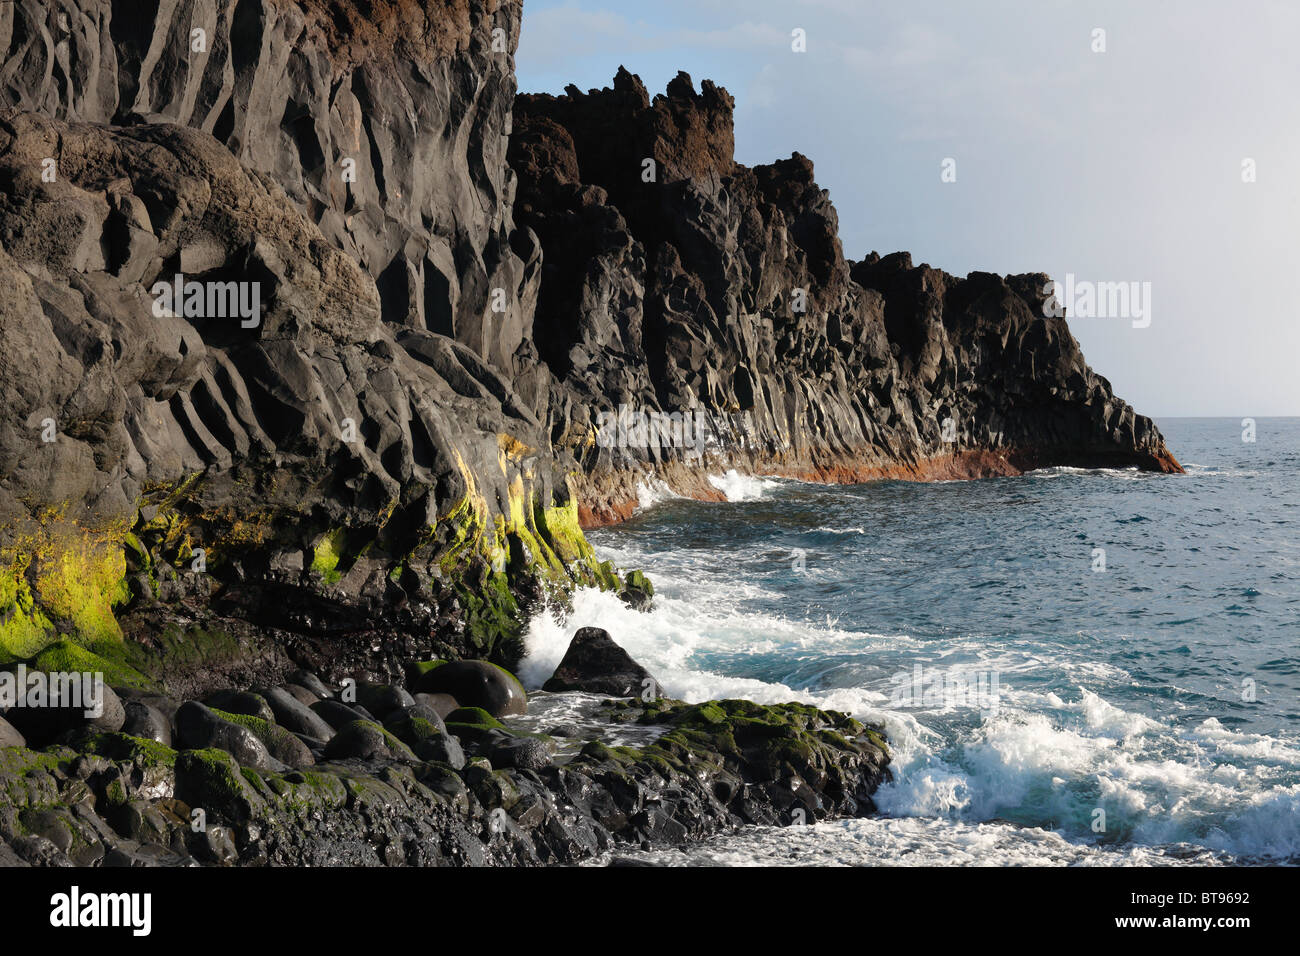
{"x": 723, "y": 288}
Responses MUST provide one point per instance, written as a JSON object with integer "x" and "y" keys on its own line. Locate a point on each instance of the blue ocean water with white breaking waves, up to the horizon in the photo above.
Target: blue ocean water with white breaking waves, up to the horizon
{"x": 1108, "y": 660}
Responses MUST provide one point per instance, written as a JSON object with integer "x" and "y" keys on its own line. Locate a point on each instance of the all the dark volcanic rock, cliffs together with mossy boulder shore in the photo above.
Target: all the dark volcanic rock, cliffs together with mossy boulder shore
{"x": 370, "y": 440}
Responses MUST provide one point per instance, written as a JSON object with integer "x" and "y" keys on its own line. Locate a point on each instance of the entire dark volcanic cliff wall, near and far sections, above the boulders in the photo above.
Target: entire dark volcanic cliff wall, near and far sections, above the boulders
{"x": 393, "y": 444}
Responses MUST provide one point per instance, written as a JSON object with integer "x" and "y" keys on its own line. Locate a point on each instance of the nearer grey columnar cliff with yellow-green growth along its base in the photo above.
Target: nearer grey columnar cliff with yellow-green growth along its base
{"x": 362, "y": 464}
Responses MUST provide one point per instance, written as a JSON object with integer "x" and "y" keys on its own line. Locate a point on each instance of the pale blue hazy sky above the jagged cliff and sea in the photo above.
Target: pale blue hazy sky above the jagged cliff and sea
{"x": 1125, "y": 165}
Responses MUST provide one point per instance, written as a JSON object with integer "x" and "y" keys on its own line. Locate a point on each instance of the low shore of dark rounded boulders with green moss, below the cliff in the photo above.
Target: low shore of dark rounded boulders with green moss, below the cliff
{"x": 296, "y": 776}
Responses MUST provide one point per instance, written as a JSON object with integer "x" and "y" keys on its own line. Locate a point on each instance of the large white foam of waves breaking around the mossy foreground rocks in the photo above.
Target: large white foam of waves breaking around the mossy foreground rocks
{"x": 1046, "y": 755}
